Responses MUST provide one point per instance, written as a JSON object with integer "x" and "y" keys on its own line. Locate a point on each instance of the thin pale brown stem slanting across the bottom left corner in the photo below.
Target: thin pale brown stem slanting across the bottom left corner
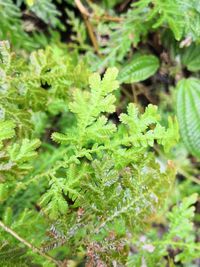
{"x": 26, "y": 243}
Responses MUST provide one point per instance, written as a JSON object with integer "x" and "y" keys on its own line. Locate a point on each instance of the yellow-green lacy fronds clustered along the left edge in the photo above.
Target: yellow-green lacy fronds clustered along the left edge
{"x": 25, "y": 106}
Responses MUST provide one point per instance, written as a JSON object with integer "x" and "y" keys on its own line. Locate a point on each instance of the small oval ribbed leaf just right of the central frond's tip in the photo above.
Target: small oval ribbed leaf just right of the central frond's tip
{"x": 139, "y": 69}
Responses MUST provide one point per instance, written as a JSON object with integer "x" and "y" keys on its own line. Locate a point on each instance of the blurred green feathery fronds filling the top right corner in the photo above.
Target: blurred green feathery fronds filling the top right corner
{"x": 145, "y": 17}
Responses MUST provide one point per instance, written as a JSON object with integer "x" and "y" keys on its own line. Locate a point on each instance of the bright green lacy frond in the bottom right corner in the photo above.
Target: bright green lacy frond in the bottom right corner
{"x": 179, "y": 237}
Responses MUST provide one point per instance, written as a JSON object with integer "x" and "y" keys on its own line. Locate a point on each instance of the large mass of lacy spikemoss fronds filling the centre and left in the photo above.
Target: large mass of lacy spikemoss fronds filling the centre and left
{"x": 97, "y": 184}
